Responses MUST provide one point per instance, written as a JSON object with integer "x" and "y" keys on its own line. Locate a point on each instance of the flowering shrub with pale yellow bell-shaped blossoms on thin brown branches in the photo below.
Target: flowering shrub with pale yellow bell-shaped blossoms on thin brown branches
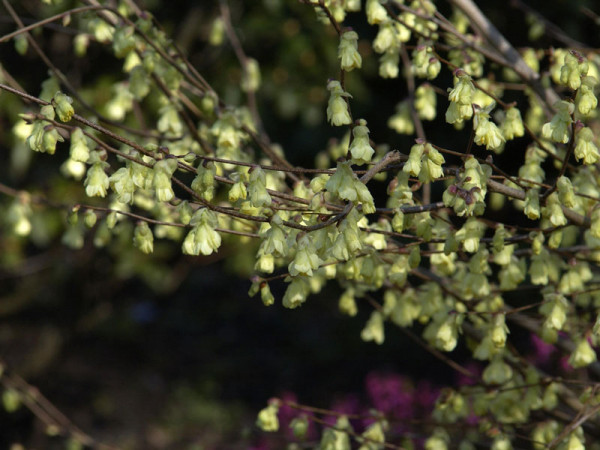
{"x": 164, "y": 158}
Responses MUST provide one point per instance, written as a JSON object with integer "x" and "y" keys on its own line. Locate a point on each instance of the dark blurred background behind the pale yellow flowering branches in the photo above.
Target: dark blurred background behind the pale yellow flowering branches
{"x": 168, "y": 351}
